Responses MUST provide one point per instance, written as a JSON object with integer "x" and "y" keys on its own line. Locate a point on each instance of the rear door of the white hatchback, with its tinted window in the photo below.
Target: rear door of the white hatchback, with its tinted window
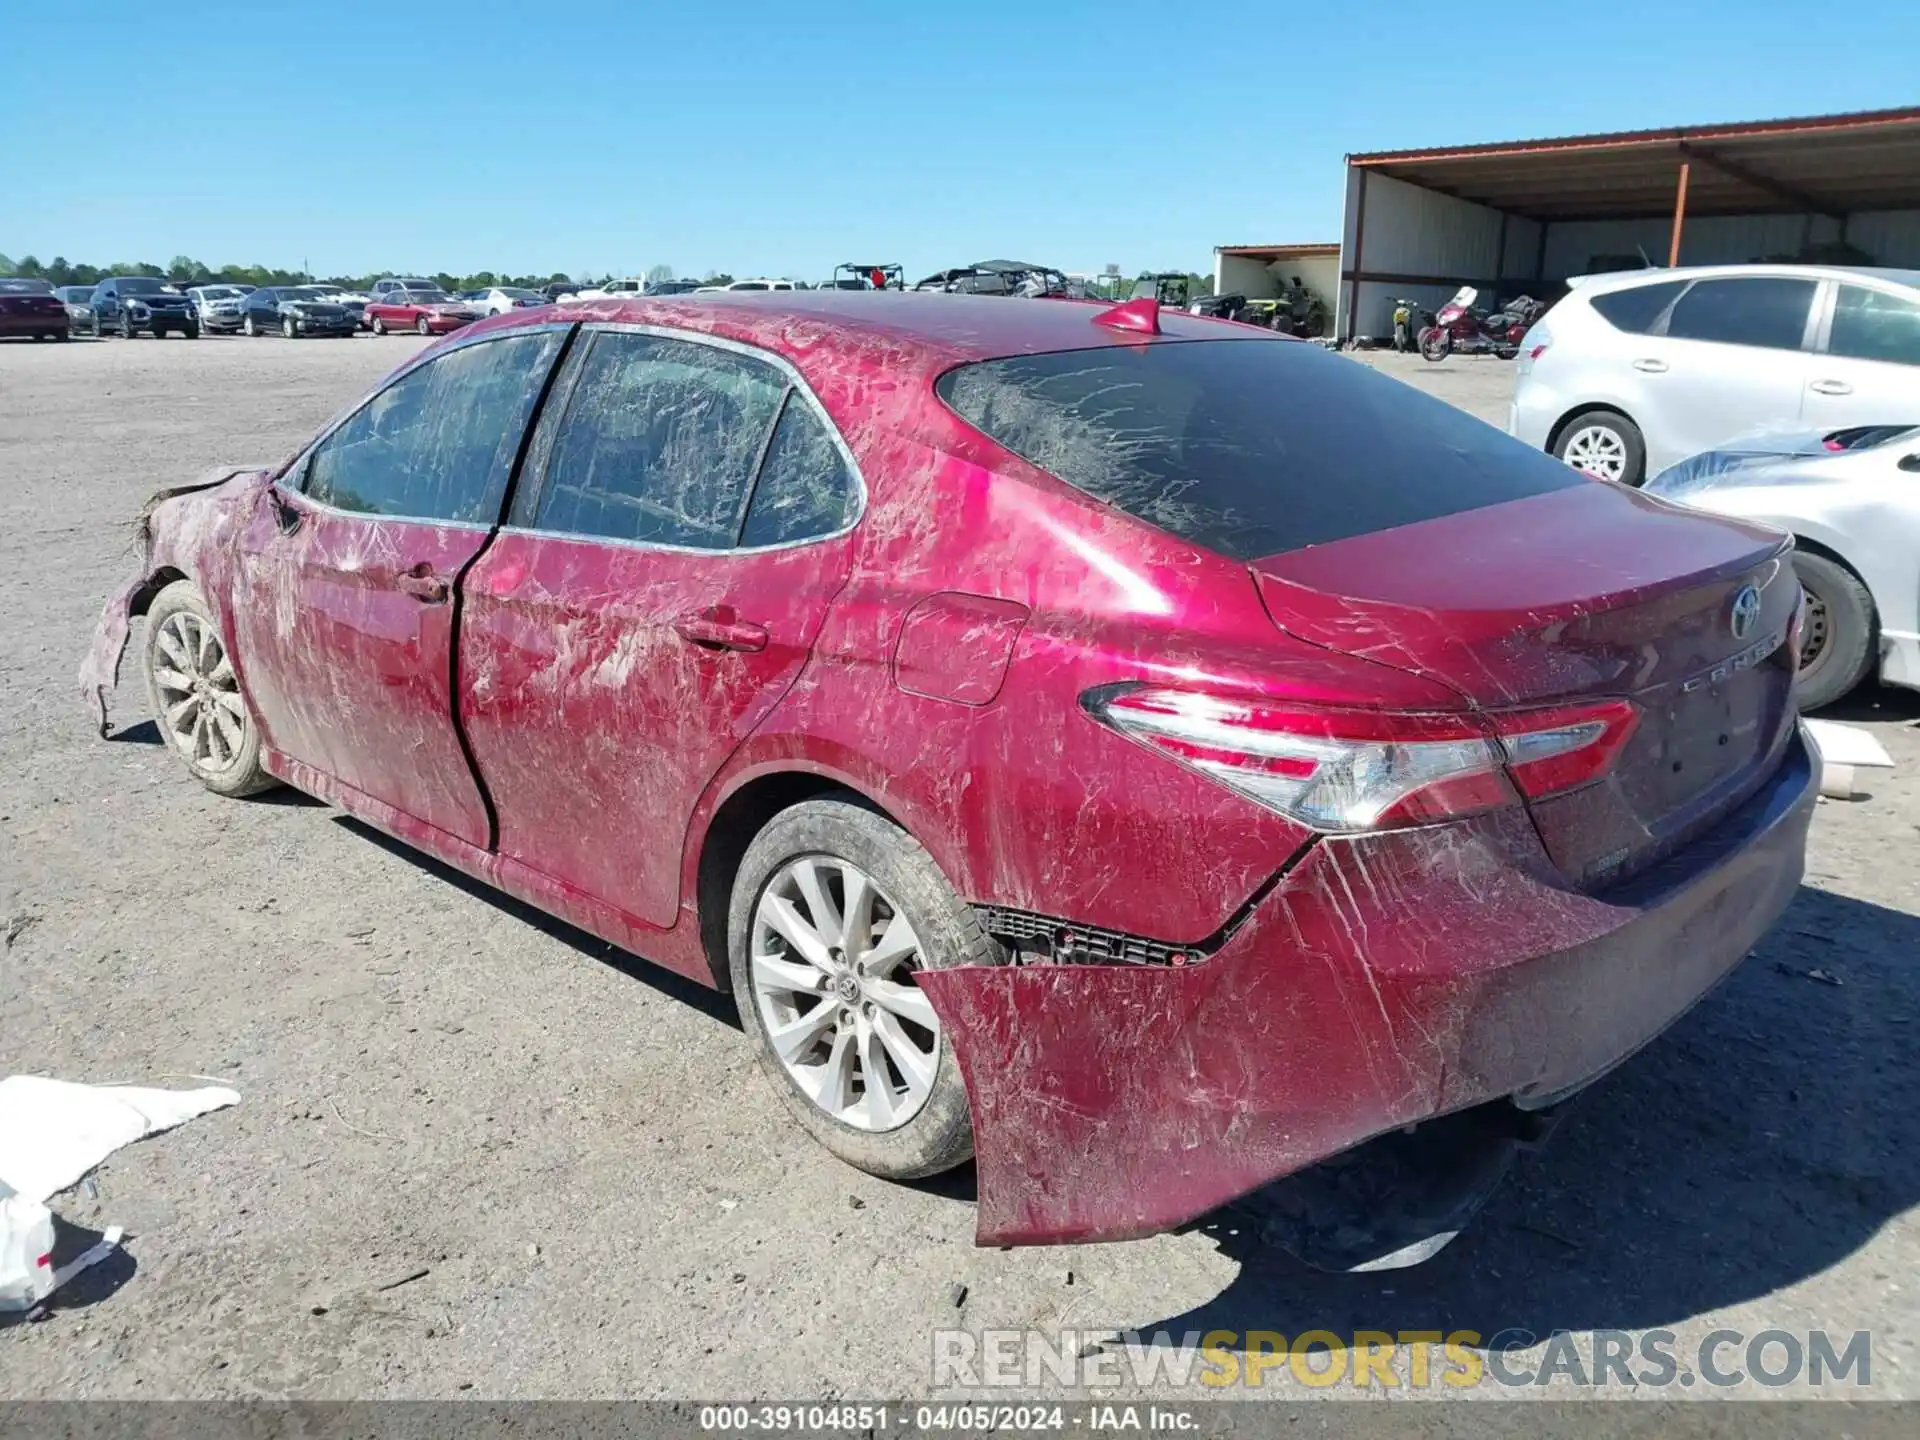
{"x": 1731, "y": 360}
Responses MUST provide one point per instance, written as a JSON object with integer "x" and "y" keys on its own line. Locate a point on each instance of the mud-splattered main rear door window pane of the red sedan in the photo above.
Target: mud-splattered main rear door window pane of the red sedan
{"x": 660, "y": 443}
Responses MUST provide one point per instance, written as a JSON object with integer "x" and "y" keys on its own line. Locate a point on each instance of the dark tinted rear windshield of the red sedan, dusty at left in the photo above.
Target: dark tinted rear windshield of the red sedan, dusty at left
{"x": 1247, "y": 446}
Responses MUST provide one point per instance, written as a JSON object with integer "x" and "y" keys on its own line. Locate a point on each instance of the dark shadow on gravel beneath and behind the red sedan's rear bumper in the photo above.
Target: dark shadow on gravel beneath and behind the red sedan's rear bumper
{"x": 1762, "y": 1141}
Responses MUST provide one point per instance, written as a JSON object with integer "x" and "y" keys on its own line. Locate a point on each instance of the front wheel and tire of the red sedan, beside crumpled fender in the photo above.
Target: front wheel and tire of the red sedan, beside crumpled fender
{"x": 189, "y": 684}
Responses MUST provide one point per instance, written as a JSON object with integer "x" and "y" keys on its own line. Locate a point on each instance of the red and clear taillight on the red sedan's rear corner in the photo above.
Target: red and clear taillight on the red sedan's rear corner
{"x": 1356, "y": 771}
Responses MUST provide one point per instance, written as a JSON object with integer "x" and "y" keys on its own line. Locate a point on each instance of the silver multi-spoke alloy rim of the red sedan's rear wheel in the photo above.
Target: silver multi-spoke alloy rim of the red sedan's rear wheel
{"x": 834, "y": 963}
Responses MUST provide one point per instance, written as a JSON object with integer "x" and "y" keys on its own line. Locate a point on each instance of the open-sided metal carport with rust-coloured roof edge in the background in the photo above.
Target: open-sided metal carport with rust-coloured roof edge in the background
{"x": 1527, "y": 214}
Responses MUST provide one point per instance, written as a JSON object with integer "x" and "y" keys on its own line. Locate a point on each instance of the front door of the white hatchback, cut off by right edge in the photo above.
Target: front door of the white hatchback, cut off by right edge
{"x": 1867, "y": 366}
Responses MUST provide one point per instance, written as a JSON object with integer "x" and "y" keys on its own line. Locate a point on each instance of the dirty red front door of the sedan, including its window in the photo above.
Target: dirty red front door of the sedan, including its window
{"x": 348, "y": 567}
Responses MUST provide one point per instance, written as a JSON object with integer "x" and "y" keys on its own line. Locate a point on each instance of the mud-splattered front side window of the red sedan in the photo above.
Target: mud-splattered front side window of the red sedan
{"x": 439, "y": 444}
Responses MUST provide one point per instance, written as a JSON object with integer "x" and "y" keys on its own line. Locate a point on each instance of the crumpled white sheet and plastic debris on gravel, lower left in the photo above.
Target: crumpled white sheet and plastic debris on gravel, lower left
{"x": 53, "y": 1134}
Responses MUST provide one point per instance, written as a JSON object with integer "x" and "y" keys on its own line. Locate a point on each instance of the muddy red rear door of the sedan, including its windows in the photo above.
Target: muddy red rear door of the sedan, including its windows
{"x": 644, "y": 610}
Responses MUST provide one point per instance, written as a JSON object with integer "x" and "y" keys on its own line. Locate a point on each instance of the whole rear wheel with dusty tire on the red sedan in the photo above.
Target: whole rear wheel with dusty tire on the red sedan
{"x": 848, "y": 840}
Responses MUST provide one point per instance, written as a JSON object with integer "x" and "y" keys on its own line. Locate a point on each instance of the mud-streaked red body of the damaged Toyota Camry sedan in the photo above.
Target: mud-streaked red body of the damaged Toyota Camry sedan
{"x": 565, "y": 715}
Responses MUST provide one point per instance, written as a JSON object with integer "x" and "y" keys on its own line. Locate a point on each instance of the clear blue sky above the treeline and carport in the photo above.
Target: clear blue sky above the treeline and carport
{"x": 780, "y": 139}
